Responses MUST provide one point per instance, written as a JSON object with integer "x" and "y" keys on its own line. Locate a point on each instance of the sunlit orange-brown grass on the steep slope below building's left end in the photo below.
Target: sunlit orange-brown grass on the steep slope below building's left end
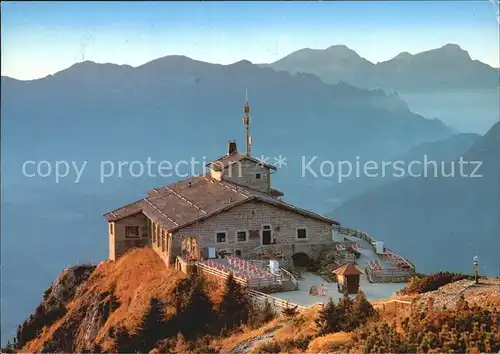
{"x": 136, "y": 278}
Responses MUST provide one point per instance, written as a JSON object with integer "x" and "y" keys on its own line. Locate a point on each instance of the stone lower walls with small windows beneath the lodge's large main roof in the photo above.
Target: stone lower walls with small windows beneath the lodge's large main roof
{"x": 250, "y": 218}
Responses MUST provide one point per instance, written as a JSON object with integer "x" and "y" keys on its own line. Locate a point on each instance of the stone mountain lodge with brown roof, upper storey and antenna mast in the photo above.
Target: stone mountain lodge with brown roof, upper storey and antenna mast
{"x": 231, "y": 209}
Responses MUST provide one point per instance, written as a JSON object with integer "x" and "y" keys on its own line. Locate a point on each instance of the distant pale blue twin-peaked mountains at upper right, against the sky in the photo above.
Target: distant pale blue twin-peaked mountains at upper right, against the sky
{"x": 448, "y": 67}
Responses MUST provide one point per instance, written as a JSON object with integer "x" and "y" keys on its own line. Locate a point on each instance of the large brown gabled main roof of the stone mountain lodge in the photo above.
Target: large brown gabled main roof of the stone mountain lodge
{"x": 185, "y": 202}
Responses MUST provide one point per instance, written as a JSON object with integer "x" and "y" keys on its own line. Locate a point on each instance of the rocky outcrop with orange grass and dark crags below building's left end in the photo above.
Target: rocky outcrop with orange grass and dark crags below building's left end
{"x": 99, "y": 309}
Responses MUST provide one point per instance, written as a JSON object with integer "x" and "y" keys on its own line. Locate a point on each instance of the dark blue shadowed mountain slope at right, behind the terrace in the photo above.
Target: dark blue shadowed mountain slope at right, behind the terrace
{"x": 442, "y": 222}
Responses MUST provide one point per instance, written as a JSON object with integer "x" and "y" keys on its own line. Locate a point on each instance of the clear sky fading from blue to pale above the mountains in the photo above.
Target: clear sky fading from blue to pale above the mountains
{"x": 39, "y": 39}
